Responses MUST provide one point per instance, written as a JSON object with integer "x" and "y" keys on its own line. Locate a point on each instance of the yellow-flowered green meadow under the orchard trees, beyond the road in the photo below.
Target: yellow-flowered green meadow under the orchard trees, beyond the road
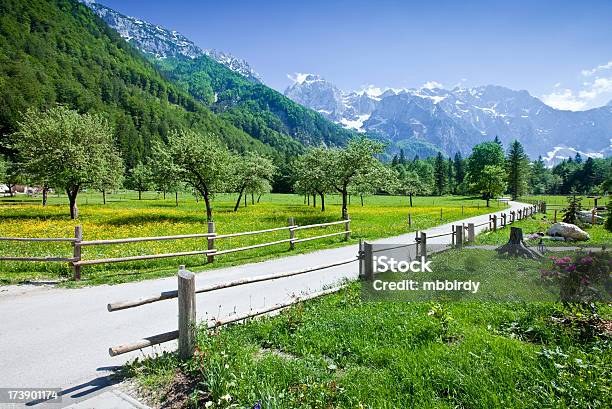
{"x": 125, "y": 216}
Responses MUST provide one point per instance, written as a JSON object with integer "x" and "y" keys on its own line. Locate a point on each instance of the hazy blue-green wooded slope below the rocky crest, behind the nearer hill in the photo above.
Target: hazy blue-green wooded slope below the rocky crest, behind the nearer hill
{"x": 257, "y": 109}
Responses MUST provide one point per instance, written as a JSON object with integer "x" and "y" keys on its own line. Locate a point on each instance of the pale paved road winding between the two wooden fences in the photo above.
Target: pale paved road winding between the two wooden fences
{"x": 53, "y": 337}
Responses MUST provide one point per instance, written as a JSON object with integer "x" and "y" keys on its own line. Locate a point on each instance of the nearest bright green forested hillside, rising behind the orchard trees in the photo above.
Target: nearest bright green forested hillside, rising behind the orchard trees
{"x": 59, "y": 51}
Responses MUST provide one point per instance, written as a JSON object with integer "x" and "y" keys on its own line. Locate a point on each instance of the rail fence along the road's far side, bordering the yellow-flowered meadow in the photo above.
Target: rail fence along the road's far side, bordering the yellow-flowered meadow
{"x": 211, "y": 236}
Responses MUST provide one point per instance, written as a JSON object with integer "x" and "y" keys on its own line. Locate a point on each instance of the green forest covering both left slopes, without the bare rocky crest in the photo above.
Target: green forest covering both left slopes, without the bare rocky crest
{"x": 59, "y": 52}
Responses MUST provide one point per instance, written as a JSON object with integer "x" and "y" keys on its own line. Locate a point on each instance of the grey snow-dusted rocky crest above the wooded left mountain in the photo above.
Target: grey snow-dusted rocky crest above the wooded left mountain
{"x": 161, "y": 42}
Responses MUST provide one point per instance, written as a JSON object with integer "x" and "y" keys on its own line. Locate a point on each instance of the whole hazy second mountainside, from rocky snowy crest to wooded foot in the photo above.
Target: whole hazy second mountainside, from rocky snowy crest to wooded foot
{"x": 228, "y": 85}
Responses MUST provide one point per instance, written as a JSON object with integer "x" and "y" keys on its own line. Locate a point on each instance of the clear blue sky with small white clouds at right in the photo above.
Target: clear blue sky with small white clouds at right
{"x": 559, "y": 51}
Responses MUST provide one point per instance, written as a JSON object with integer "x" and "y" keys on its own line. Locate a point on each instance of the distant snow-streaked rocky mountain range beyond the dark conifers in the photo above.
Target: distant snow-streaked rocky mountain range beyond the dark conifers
{"x": 454, "y": 120}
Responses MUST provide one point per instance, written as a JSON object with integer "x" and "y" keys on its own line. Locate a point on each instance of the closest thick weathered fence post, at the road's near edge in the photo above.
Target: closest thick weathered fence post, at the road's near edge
{"x": 187, "y": 313}
